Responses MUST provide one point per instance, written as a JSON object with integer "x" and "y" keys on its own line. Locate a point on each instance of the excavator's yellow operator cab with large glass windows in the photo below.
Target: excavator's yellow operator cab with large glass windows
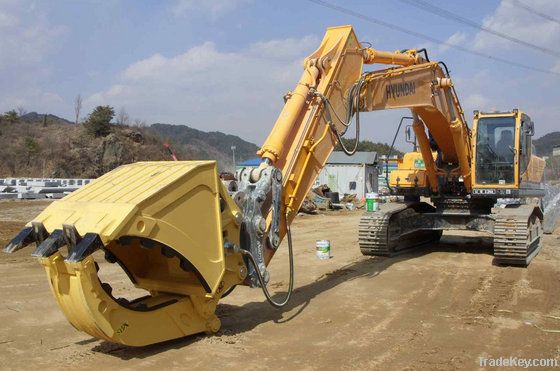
{"x": 503, "y": 164}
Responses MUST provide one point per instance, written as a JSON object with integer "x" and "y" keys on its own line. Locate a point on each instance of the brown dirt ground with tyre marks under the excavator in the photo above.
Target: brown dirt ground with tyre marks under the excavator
{"x": 441, "y": 307}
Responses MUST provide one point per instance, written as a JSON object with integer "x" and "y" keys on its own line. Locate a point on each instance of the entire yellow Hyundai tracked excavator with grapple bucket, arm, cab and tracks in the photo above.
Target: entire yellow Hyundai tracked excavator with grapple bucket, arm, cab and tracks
{"x": 187, "y": 239}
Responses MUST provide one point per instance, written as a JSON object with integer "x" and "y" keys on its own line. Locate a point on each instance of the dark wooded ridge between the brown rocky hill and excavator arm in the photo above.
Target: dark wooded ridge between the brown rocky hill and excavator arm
{"x": 199, "y": 145}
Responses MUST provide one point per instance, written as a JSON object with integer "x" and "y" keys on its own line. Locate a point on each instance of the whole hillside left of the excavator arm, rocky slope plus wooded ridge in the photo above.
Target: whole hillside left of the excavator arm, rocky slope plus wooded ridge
{"x": 55, "y": 147}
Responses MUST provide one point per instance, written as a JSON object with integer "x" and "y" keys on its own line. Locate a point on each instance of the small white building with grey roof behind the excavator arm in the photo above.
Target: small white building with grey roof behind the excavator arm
{"x": 357, "y": 174}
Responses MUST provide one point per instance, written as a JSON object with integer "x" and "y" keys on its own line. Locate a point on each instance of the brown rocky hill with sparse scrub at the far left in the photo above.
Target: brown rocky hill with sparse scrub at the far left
{"x": 62, "y": 150}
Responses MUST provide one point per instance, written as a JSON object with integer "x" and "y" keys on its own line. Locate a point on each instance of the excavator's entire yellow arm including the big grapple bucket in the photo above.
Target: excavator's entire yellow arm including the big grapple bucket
{"x": 187, "y": 240}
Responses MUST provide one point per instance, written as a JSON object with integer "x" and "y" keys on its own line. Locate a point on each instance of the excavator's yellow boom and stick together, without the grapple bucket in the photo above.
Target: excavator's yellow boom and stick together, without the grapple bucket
{"x": 333, "y": 89}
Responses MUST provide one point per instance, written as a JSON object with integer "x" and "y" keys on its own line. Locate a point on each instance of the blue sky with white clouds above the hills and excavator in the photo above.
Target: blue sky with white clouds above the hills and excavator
{"x": 224, "y": 65}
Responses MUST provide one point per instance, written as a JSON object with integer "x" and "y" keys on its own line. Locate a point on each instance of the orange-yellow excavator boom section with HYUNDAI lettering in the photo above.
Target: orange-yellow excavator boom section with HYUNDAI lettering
{"x": 428, "y": 92}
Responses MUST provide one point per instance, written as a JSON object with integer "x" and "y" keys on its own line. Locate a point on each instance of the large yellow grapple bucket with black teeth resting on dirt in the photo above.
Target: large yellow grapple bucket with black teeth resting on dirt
{"x": 162, "y": 222}
